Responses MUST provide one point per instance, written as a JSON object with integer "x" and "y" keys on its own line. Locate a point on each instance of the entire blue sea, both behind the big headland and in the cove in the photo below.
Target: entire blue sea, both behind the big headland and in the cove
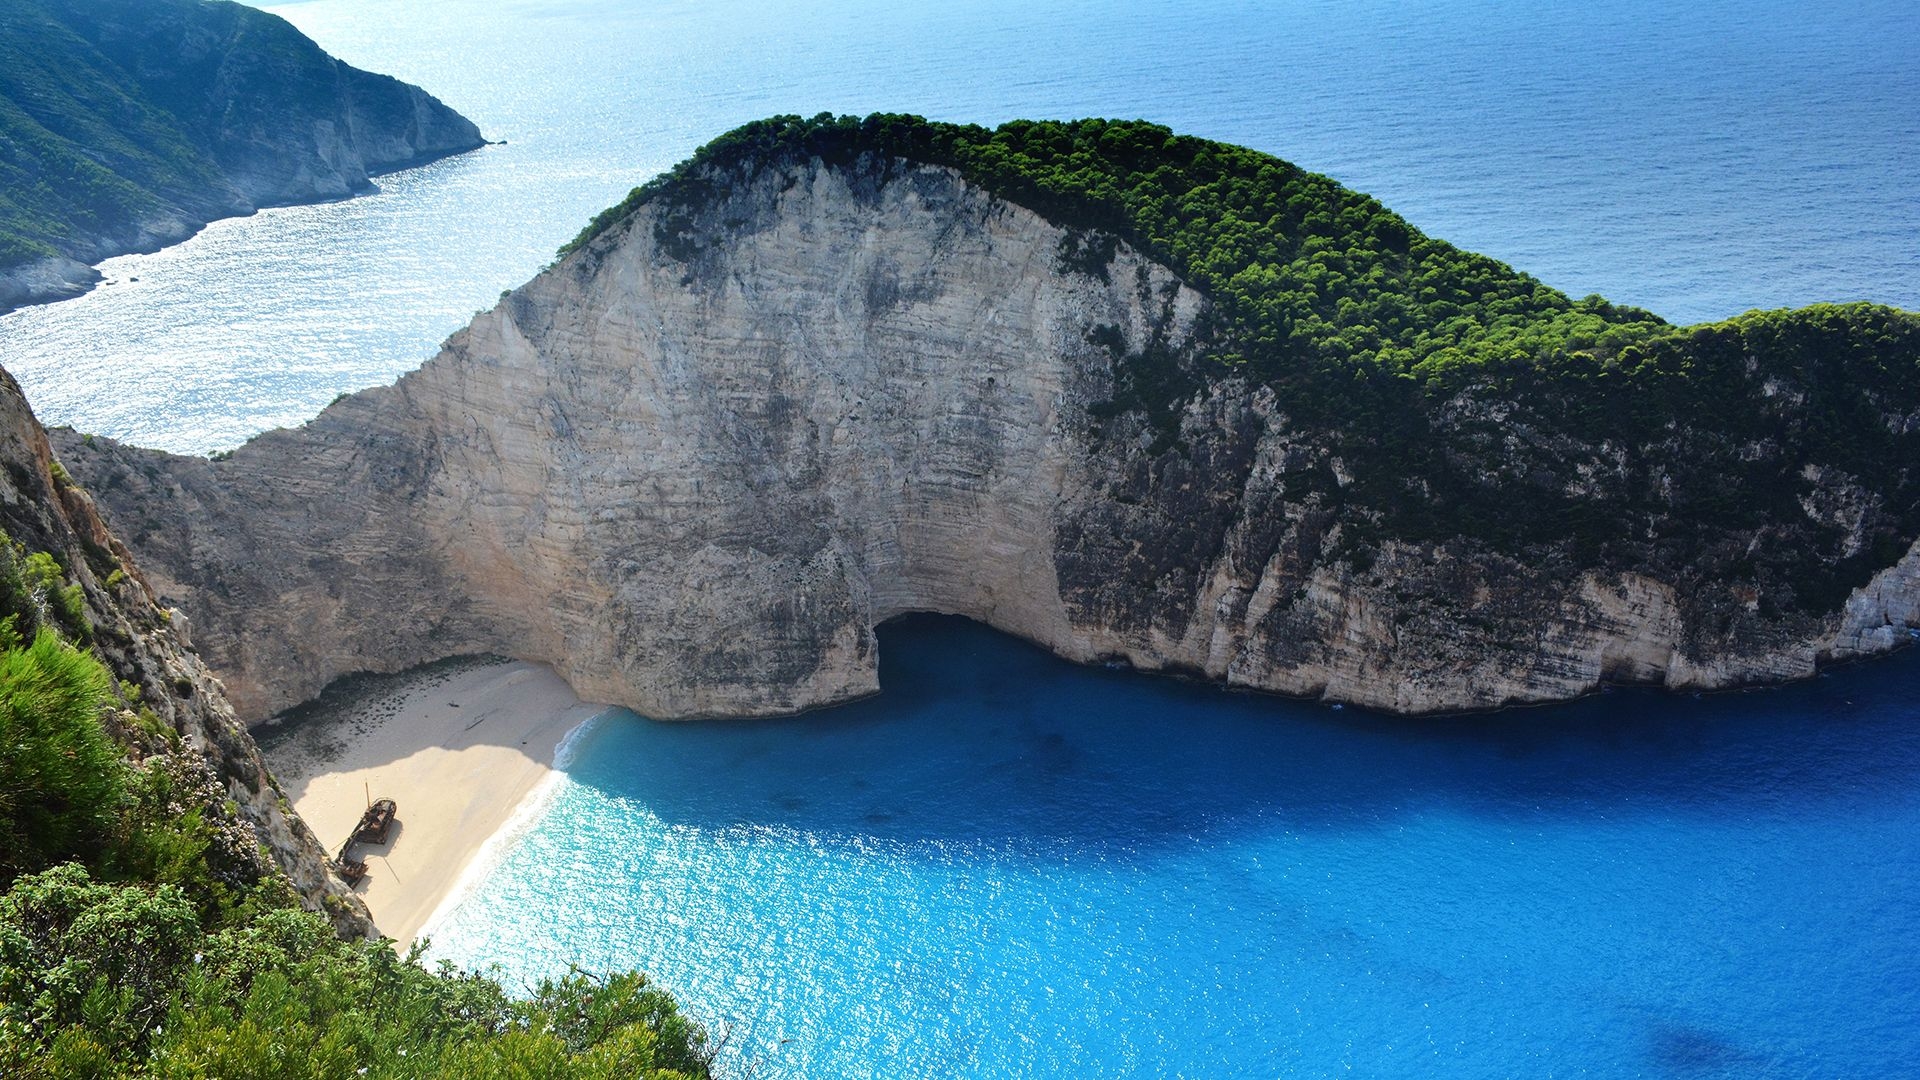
{"x": 1013, "y": 868}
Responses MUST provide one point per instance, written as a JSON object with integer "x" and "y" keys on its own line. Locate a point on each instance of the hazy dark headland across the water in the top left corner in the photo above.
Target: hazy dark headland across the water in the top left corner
{"x": 130, "y": 124}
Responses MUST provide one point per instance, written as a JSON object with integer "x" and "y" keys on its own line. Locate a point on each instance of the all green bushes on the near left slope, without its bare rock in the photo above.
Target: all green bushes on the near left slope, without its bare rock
{"x": 162, "y": 943}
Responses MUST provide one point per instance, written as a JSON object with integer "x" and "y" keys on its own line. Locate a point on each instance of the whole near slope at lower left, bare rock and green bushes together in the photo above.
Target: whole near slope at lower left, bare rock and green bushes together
{"x": 153, "y": 877}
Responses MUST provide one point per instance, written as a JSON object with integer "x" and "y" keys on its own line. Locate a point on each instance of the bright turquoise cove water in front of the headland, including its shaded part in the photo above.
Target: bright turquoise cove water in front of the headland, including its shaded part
{"x": 1007, "y": 866}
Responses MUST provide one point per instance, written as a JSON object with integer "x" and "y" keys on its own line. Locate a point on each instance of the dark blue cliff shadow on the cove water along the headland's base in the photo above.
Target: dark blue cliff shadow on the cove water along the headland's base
{"x": 978, "y": 737}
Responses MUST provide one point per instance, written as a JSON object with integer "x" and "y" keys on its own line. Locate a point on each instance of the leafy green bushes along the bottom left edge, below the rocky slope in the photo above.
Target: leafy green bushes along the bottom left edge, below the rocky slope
{"x": 126, "y": 979}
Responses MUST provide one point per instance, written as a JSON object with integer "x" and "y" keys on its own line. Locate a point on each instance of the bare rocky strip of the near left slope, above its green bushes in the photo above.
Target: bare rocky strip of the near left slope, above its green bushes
{"x": 149, "y": 652}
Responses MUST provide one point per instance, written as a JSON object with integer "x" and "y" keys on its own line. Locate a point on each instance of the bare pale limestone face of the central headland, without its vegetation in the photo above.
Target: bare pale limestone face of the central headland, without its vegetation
{"x": 698, "y": 462}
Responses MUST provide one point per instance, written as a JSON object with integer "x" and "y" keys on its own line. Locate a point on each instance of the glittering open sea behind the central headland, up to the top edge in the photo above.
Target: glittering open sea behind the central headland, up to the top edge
{"x": 1691, "y": 159}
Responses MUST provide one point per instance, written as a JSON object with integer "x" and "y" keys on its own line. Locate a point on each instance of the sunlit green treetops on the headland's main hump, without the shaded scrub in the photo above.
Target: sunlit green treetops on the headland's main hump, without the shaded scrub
{"x": 1305, "y": 270}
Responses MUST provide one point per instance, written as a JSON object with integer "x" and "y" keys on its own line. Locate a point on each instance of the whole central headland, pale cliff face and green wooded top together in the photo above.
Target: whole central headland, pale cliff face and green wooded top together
{"x": 834, "y": 372}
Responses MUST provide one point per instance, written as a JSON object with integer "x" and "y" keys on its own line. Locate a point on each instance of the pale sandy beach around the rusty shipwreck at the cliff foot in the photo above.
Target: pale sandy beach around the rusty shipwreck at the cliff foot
{"x": 458, "y": 747}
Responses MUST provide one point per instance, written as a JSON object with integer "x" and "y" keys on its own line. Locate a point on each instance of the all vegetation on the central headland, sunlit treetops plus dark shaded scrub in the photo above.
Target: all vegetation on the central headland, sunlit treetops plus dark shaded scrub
{"x": 1466, "y": 399}
